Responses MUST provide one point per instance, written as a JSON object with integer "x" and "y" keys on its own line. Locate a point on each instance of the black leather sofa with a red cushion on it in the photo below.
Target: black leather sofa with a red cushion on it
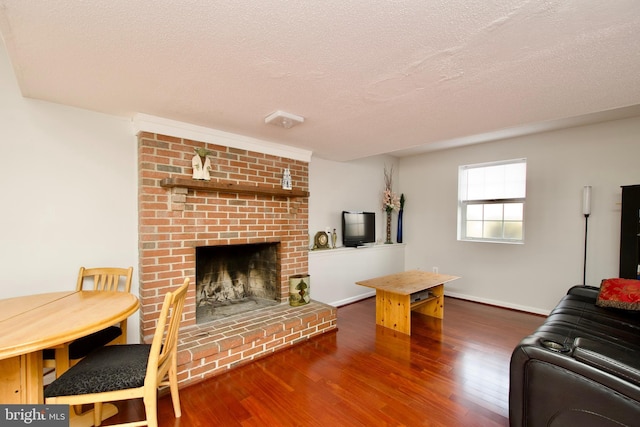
{"x": 580, "y": 368}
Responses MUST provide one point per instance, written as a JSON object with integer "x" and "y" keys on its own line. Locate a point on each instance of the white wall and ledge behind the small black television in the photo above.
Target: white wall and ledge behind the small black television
{"x": 355, "y": 186}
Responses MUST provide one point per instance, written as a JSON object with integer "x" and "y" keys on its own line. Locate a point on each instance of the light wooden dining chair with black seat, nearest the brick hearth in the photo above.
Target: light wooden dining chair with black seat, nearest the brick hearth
{"x": 128, "y": 371}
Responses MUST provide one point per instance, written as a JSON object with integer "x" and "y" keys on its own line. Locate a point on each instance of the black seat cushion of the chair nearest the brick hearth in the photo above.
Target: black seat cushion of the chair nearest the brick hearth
{"x": 114, "y": 367}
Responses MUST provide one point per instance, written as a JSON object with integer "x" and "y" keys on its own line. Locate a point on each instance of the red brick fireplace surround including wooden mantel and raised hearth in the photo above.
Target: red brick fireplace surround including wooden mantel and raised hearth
{"x": 242, "y": 204}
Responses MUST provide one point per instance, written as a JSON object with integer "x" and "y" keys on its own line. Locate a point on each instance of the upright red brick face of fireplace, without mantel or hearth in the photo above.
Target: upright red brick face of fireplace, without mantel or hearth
{"x": 172, "y": 222}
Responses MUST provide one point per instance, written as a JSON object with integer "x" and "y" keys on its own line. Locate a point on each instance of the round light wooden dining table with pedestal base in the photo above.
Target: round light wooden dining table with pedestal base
{"x": 29, "y": 324}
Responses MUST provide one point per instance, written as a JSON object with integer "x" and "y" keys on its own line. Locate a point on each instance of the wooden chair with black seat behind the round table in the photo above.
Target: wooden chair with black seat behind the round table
{"x": 97, "y": 279}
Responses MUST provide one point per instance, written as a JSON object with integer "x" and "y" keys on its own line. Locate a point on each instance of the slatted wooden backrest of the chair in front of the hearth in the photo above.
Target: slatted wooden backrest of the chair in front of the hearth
{"x": 164, "y": 348}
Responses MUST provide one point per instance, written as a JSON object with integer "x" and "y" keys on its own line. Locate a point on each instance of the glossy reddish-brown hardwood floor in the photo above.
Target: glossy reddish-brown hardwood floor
{"x": 451, "y": 372}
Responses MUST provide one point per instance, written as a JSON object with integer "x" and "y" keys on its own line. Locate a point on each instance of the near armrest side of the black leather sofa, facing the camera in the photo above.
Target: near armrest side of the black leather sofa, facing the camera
{"x": 551, "y": 384}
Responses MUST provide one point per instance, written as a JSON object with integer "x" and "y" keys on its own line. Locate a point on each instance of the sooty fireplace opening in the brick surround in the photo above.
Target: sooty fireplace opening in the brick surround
{"x": 235, "y": 279}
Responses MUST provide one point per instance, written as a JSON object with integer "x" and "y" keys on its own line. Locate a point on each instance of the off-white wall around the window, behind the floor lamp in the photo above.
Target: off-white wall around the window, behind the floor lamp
{"x": 535, "y": 275}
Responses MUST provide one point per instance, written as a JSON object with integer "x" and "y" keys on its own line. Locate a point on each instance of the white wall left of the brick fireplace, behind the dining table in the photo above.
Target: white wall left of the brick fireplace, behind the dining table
{"x": 69, "y": 193}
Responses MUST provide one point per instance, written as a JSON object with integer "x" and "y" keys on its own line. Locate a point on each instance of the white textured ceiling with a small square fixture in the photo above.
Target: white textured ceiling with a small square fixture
{"x": 369, "y": 76}
